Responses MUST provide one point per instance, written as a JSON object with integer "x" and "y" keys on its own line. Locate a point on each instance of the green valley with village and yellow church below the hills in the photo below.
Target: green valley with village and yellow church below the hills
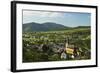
{"x": 51, "y": 45}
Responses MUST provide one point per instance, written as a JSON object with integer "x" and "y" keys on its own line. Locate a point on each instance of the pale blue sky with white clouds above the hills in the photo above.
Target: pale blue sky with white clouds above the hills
{"x": 71, "y": 19}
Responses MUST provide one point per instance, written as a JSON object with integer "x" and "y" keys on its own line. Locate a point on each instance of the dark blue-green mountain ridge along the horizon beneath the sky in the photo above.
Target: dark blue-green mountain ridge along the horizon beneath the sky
{"x": 48, "y": 26}
